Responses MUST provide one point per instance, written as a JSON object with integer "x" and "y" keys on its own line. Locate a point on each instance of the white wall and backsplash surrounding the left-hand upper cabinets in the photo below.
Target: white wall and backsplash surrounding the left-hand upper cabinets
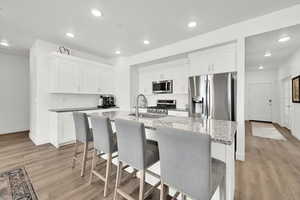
{"x": 41, "y": 100}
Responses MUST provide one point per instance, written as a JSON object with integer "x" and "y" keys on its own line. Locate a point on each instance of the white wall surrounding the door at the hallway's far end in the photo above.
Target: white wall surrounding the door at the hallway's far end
{"x": 265, "y": 76}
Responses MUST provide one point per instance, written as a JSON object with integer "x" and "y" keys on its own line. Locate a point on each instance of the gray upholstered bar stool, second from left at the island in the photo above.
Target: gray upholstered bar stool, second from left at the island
{"x": 105, "y": 142}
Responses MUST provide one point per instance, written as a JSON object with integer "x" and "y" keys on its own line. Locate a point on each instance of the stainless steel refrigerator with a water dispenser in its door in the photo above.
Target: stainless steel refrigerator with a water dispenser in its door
{"x": 213, "y": 96}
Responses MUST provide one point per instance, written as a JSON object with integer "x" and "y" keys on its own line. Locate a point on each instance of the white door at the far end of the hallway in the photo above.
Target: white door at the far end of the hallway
{"x": 260, "y": 102}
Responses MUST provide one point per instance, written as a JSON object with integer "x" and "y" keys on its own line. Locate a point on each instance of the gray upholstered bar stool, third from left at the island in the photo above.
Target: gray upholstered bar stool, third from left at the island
{"x": 137, "y": 152}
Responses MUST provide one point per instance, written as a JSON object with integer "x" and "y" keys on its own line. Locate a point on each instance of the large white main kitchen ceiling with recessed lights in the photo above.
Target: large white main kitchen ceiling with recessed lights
{"x": 125, "y": 23}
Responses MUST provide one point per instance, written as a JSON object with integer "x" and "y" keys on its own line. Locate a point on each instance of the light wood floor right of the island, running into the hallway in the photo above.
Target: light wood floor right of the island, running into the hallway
{"x": 271, "y": 170}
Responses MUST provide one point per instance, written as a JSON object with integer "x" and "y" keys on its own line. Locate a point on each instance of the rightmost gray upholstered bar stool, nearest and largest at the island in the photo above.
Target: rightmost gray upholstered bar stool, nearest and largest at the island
{"x": 186, "y": 164}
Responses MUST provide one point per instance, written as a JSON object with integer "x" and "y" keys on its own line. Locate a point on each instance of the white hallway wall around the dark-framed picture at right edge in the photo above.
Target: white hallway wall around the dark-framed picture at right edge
{"x": 291, "y": 68}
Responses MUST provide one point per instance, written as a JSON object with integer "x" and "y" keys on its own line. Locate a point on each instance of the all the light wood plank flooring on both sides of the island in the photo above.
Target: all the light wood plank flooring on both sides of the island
{"x": 271, "y": 170}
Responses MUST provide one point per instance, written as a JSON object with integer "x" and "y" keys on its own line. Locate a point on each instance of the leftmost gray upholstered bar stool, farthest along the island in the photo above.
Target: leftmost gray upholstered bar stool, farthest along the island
{"x": 84, "y": 136}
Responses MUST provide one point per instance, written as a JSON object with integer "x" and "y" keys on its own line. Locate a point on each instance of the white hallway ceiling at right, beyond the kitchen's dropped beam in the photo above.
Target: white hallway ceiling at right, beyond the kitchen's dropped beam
{"x": 257, "y": 45}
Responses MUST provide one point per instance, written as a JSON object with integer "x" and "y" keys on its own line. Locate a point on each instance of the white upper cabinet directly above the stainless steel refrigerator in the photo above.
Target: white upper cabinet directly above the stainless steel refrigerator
{"x": 214, "y": 60}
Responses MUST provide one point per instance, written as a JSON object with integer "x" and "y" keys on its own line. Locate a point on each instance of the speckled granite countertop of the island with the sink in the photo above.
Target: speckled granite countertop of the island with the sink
{"x": 220, "y": 131}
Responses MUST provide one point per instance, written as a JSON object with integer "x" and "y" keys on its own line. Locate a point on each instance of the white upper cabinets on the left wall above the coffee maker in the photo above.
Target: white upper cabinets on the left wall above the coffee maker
{"x": 69, "y": 74}
